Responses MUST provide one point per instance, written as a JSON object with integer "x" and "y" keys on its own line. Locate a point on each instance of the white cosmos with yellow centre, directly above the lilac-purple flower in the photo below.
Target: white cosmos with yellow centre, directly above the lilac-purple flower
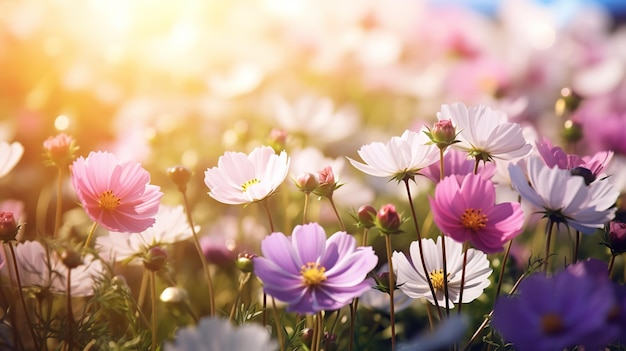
{"x": 241, "y": 179}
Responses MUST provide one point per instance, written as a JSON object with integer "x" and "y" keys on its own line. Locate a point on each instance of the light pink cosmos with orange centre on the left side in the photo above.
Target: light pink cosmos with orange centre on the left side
{"x": 117, "y": 196}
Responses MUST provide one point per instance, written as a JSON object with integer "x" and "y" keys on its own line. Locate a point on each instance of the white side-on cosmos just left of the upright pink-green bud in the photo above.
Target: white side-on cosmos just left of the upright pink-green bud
{"x": 400, "y": 158}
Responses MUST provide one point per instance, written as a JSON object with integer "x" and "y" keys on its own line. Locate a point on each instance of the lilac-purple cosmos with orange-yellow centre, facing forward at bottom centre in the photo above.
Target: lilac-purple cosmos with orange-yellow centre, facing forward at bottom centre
{"x": 311, "y": 273}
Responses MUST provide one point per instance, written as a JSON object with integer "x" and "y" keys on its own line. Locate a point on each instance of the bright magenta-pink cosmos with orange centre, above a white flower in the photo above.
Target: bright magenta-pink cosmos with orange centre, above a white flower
{"x": 464, "y": 208}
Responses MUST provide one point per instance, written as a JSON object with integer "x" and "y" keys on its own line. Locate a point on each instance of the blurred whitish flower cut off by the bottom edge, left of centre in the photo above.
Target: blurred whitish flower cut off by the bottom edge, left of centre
{"x": 216, "y": 334}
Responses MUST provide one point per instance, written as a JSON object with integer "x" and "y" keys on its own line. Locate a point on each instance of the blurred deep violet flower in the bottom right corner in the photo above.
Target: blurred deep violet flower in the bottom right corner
{"x": 549, "y": 314}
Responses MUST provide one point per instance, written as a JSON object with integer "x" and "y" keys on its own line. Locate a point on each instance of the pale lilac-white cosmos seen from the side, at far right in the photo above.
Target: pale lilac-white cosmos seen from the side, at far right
{"x": 563, "y": 197}
